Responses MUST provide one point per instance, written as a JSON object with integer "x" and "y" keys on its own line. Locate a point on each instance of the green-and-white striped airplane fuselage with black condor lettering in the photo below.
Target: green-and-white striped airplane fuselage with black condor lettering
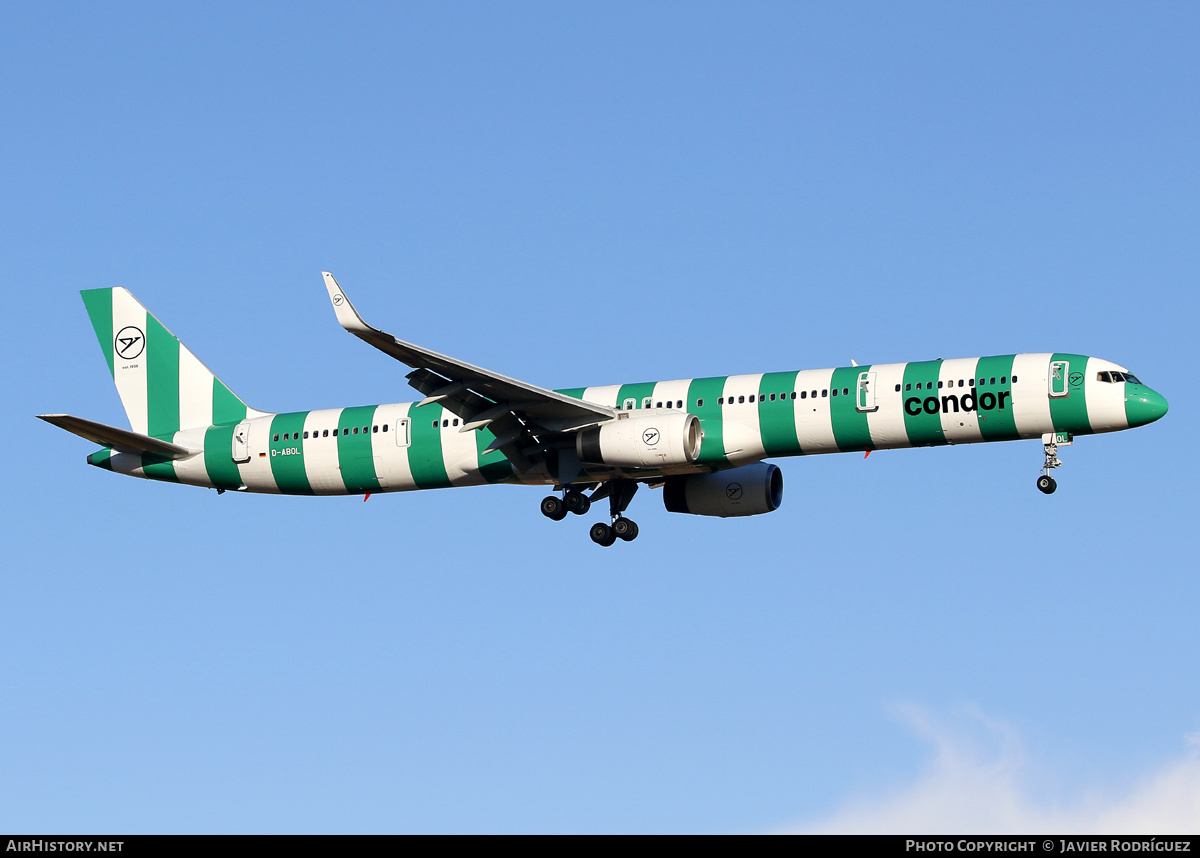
{"x": 405, "y": 447}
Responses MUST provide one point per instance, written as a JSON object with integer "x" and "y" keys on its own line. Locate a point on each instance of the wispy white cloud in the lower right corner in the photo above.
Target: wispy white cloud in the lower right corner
{"x": 989, "y": 787}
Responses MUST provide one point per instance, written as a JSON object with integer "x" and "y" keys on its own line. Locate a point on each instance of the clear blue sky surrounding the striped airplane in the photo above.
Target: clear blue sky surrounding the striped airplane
{"x": 586, "y": 196}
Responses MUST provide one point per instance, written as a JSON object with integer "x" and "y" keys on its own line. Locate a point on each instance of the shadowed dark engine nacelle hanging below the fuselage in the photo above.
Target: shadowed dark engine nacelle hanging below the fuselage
{"x": 749, "y": 490}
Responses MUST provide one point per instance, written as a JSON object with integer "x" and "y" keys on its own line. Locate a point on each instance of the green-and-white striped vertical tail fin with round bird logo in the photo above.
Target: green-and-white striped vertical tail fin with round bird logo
{"x": 164, "y": 387}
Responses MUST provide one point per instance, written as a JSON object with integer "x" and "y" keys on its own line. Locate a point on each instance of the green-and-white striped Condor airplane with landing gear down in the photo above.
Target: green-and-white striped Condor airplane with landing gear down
{"x": 701, "y": 440}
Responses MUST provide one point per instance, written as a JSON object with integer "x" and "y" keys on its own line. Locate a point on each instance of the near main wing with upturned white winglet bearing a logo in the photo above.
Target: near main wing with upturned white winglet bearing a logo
{"x": 521, "y": 416}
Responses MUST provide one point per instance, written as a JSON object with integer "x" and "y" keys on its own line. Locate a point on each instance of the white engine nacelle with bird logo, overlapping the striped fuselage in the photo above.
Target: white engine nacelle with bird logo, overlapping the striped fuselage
{"x": 657, "y": 440}
